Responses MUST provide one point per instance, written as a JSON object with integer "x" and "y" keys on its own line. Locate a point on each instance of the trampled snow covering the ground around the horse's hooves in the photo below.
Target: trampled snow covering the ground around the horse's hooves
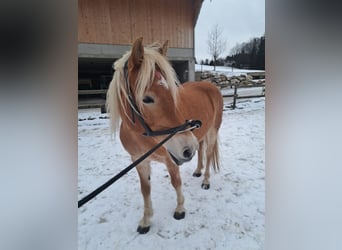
{"x": 230, "y": 215}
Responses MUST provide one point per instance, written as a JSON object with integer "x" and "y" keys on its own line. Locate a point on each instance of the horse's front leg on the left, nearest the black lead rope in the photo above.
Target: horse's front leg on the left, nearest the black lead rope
{"x": 144, "y": 171}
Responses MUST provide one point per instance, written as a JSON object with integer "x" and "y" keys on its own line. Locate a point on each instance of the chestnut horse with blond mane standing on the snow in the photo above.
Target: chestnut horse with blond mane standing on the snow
{"x": 145, "y": 100}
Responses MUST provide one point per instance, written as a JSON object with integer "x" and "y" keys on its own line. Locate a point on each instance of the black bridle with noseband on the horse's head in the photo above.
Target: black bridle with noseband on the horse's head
{"x": 189, "y": 125}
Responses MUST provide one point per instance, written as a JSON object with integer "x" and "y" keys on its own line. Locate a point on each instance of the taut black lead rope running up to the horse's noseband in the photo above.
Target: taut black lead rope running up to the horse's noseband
{"x": 192, "y": 123}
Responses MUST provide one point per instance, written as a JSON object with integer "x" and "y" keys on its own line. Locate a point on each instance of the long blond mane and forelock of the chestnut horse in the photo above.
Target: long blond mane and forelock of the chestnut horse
{"x": 117, "y": 92}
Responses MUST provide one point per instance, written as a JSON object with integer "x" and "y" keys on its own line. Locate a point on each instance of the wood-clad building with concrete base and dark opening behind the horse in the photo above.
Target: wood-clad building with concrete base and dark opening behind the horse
{"x": 107, "y": 29}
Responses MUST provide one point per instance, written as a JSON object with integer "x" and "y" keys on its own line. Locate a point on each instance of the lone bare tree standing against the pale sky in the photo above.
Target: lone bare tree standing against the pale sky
{"x": 216, "y": 43}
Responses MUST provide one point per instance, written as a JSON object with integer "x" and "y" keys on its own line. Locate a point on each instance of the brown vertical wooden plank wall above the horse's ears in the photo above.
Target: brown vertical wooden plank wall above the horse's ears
{"x": 120, "y": 22}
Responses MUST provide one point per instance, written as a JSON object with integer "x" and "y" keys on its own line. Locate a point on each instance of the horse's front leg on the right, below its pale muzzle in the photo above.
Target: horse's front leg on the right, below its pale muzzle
{"x": 177, "y": 184}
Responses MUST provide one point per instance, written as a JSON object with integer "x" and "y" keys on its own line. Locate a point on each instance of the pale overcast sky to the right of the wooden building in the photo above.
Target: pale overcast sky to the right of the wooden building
{"x": 239, "y": 20}
